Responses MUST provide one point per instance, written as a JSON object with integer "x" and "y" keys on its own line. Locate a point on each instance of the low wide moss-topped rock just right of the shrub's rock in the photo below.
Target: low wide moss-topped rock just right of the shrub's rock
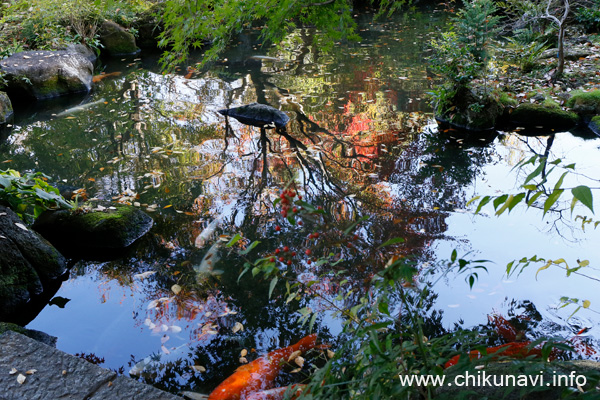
{"x": 549, "y": 119}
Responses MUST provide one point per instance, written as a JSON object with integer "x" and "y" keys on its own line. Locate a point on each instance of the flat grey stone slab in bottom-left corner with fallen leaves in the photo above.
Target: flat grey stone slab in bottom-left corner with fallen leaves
{"x": 53, "y": 374}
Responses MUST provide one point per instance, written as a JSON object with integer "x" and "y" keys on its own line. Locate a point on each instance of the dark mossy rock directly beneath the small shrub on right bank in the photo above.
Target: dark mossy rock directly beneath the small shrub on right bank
{"x": 469, "y": 111}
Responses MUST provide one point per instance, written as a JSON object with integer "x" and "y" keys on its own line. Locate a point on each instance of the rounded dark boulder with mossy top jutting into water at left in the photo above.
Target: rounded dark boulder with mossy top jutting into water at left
{"x": 75, "y": 232}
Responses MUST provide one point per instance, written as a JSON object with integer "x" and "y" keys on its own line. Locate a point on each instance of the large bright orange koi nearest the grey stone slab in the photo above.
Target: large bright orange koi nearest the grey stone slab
{"x": 260, "y": 373}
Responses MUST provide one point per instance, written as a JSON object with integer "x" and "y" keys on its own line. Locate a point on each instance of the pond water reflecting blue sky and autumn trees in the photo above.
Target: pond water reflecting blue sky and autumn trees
{"x": 157, "y": 141}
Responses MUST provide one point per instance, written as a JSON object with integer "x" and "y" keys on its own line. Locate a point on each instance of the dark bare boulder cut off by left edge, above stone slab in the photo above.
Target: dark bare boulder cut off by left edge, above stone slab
{"x": 28, "y": 266}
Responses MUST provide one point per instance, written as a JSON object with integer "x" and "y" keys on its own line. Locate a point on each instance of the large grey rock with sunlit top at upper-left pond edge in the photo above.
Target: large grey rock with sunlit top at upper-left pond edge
{"x": 42, "y": 74}
